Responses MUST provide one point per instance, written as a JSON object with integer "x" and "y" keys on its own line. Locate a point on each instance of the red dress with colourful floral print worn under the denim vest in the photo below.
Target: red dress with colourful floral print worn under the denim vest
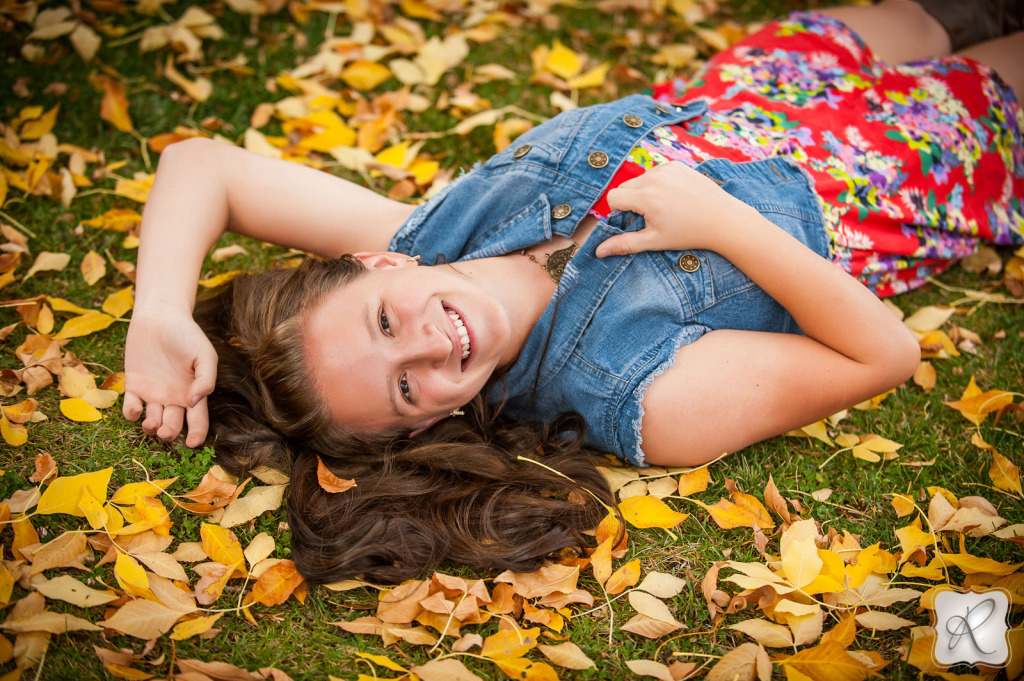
{"x": 915, "y": 165}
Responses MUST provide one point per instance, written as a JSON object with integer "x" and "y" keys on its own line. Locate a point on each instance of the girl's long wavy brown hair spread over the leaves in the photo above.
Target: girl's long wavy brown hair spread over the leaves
{"x": 476, "y": 490}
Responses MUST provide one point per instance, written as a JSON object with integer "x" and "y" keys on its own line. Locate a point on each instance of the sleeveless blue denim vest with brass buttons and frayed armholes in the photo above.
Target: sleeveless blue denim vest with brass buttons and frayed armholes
{"x": 614, "y": 324}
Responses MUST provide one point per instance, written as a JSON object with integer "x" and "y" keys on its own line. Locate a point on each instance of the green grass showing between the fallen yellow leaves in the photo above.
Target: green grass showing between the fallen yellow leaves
{"x": 298, "y": 639}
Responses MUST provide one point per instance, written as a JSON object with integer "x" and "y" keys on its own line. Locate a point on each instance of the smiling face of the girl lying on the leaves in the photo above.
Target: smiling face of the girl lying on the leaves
{"x": 401, "y": 347}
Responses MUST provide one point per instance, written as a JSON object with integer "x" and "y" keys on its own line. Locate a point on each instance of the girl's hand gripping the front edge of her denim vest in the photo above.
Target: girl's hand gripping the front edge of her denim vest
{"x": 682, "y": 208}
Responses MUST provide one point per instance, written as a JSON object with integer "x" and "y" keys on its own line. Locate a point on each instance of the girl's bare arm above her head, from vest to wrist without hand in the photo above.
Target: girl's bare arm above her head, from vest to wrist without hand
{"x": 204, "y": 188}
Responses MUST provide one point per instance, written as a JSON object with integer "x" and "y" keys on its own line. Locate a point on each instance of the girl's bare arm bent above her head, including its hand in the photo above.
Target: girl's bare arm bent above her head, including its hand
{"x": 202, "y": 189}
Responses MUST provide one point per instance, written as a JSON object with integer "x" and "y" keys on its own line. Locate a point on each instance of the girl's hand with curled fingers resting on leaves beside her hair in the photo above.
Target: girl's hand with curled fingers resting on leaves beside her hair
{"x": 170, "y": 368}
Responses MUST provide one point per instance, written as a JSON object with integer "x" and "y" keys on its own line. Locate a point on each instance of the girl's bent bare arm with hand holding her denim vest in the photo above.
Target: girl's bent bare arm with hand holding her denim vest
{"x": 733, "y": 389}
